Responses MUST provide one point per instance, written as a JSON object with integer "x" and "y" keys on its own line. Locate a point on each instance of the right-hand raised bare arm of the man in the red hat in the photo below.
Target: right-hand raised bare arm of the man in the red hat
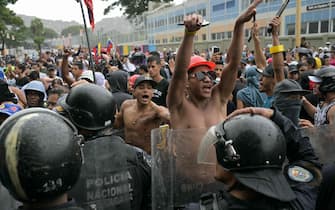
{"x": 234, "y": 53}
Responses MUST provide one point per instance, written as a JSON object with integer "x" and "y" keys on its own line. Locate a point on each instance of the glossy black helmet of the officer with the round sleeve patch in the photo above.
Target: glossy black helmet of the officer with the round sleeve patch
{"x": 256, "y": 140}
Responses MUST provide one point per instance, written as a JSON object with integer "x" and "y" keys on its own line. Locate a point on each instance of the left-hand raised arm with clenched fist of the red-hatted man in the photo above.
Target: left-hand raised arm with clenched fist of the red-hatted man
{"x": 176, "y": 93}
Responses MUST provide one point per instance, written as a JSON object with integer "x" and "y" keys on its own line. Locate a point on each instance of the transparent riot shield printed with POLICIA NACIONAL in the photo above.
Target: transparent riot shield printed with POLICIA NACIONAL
{"x": 105, "y": 178}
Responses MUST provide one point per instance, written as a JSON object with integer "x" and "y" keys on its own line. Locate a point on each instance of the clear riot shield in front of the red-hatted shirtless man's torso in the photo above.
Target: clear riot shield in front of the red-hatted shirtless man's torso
{"x": 178, "y": 180}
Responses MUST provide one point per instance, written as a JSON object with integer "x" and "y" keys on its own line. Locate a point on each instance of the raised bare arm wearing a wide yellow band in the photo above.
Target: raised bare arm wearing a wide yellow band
{"x": 277, "y": 51}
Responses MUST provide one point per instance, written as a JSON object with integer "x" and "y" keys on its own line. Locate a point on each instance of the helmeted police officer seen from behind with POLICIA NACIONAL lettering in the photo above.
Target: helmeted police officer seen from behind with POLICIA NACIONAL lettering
{"x": 115, "y": 175}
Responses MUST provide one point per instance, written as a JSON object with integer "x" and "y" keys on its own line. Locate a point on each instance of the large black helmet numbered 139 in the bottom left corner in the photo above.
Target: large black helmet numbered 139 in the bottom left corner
{"x": 40, "y": 155}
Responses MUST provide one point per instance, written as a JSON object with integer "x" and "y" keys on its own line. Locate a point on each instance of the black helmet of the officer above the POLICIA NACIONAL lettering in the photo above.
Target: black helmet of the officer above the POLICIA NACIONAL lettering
{"x": 90, "y": 107}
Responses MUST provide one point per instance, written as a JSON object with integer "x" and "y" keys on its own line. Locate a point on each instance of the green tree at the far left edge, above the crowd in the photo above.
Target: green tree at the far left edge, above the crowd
{"x": 11, "y": 26}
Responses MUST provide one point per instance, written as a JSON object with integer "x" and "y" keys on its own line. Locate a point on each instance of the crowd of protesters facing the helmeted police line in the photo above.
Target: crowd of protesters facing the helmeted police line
{"x": 188, "y": 88}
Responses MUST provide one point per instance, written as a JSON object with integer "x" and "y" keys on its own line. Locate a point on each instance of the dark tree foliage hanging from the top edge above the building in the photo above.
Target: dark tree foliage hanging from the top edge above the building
{"x": 132, "y": 8}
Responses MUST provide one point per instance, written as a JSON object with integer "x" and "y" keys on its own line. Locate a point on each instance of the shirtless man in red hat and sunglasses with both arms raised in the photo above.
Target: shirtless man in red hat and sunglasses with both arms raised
{"x": 205, "y": 104}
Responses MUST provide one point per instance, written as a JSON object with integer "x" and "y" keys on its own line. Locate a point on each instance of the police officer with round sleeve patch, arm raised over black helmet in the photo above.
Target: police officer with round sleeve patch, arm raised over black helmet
{"x": 251, "y": 150}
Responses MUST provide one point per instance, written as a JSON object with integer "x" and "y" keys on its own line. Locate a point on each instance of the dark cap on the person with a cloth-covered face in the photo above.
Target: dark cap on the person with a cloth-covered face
{"x": 289, "y": 86}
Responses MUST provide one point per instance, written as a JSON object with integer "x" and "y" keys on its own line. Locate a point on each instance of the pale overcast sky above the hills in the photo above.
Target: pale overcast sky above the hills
{"x": 66, "y": 10}
